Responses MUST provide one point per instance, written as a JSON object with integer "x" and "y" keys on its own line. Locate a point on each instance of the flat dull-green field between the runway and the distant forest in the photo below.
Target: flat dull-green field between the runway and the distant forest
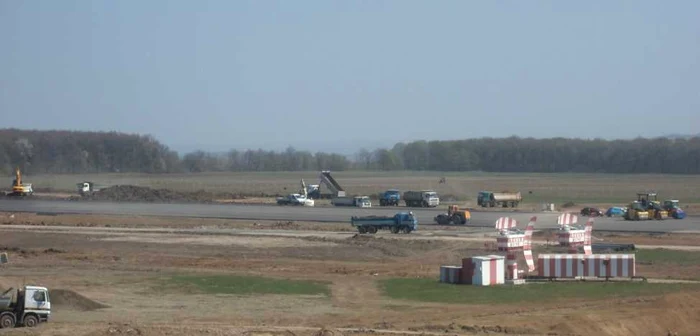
{"x": 536, "y": 188}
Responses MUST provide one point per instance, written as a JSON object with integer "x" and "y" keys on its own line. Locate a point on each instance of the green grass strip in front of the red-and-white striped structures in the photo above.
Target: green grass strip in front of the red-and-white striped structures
{"x": 430, "y": 290}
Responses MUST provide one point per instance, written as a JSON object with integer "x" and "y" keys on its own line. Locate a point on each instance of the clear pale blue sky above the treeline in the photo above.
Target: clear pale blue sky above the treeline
{"x": 341, "y": 75}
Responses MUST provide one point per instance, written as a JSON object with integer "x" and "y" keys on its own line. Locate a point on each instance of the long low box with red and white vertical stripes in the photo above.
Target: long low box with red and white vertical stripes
{"x": 578, "y": 265}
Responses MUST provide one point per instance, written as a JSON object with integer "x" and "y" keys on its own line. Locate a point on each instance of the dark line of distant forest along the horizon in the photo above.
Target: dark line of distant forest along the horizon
{"x": 38, "y": 152}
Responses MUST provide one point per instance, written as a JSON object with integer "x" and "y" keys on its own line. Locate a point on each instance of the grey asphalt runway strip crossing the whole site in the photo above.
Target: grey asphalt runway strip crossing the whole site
{"x": 325, "y": 214}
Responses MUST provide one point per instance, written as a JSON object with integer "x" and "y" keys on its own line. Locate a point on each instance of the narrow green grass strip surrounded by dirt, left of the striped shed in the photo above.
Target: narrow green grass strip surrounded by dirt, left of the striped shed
{"x": 245, "y": 285}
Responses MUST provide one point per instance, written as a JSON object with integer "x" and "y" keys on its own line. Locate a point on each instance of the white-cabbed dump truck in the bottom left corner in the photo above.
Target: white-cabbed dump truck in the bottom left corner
{"x": 27, "y": 306}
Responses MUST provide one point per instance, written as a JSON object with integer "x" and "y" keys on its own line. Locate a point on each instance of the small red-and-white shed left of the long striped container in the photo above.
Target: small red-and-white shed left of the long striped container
{"x": 483, "y": 271}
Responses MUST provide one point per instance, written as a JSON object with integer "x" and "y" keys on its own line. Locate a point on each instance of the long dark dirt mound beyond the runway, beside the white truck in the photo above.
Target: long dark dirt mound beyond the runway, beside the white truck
{"x": 131, "y": 193}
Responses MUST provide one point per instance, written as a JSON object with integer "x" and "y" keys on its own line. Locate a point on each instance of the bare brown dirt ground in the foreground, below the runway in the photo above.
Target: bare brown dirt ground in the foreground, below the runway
{"x": 109, "y": 282}
